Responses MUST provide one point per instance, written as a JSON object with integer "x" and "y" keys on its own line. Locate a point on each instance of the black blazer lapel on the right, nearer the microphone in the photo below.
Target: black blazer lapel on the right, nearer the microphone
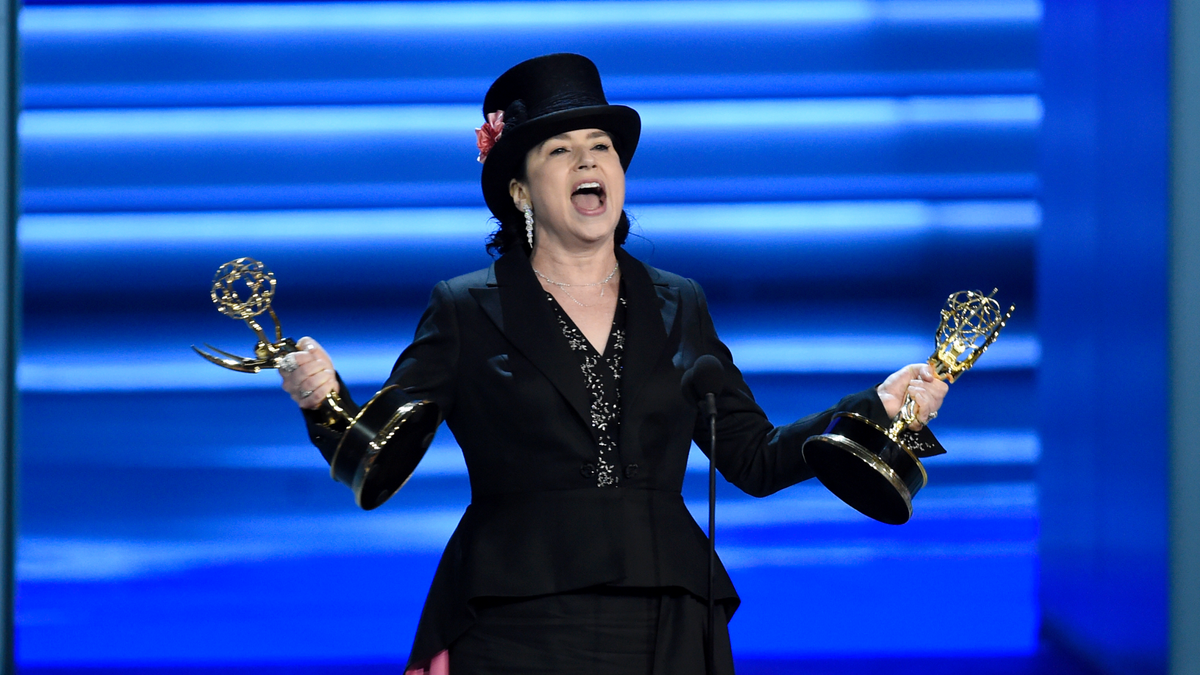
{"x": 650, "y": 320}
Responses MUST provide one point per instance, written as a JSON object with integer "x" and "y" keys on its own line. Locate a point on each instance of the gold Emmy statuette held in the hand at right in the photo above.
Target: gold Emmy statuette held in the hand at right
{"x": 878, "y": 471}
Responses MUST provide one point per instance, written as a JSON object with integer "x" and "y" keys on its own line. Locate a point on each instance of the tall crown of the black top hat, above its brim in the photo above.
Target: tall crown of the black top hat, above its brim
{"x": 545, "y": 86}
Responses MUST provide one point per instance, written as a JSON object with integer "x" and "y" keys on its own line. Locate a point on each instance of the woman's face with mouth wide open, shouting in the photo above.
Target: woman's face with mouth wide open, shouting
{"x": 577, "y": 187}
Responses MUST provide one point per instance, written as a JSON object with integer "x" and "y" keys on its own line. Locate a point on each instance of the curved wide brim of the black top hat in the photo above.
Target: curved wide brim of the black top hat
{"x": 507, "y": 157}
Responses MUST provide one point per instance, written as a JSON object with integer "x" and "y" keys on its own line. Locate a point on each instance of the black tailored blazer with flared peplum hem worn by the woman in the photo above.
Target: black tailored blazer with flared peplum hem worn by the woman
{"x": 491, "y": 355}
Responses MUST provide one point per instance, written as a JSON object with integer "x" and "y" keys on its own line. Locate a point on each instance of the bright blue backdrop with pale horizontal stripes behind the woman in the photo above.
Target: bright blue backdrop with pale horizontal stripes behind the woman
{"x": 830, "y": 171}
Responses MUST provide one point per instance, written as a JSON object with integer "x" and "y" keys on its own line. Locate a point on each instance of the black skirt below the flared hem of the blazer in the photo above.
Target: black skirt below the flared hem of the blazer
{"x": 604, "y": 631}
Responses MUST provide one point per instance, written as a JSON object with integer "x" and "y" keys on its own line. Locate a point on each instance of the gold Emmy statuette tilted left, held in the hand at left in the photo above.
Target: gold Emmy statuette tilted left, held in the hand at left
{"x": 381, "y": 446}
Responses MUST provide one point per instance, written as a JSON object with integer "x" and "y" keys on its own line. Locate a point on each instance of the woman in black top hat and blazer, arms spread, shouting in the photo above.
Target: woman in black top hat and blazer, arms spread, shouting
{"x": 559, "y": 371}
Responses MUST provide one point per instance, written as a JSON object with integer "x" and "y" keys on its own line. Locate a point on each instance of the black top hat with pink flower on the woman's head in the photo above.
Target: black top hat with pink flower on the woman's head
{"x": 543, "y": 98}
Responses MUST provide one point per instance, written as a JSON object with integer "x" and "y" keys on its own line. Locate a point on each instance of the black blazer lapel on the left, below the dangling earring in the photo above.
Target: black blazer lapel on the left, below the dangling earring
{"x": 517, "y": 303}
